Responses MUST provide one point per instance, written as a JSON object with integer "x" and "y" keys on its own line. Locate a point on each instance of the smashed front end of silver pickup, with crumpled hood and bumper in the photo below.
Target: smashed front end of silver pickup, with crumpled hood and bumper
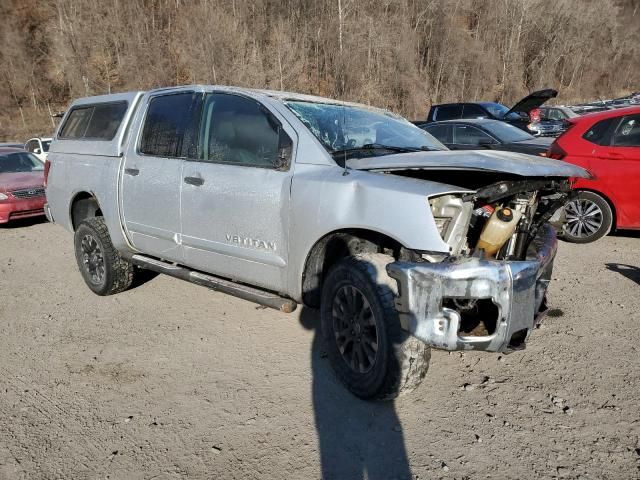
{"x": 488, "y": 292}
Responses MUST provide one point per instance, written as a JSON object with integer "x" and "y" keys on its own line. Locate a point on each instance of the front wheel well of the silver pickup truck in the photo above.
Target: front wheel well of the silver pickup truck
{"x": 337, "y": 245}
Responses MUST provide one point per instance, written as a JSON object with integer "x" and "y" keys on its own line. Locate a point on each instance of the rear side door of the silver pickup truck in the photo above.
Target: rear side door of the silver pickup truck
{"x": 152, "y": 174}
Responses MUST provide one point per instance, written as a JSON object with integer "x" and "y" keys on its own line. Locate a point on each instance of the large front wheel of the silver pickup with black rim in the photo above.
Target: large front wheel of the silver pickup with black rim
{"x": 399, "y": 362}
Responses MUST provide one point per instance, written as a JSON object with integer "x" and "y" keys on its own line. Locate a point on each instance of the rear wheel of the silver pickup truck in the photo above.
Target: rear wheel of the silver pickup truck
{"x": 104, "y": 271}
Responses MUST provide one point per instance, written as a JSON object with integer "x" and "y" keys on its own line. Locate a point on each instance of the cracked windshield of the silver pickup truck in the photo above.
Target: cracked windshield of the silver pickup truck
{"x": 360, "y": 131}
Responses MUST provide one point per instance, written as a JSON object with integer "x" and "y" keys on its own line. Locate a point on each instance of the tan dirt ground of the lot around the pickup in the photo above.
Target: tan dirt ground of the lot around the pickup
{"x": 170, "y": 380}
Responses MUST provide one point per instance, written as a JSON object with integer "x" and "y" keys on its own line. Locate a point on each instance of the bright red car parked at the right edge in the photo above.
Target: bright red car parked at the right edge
{"x": 608, "y": 145}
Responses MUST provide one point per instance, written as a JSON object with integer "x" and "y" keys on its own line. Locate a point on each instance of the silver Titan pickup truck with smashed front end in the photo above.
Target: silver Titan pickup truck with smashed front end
{"x": 283, "y": 199}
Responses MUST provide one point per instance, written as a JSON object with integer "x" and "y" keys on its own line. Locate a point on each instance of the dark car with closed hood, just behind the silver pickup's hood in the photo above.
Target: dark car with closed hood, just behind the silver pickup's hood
{"x": 487, "y": 134}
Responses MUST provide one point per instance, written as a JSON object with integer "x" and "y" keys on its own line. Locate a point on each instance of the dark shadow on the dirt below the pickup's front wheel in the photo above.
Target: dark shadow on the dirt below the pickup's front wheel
{"x": 357, "y": 439}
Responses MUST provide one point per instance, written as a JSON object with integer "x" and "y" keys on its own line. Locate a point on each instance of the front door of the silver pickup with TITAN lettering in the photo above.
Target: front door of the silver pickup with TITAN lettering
{"x": 235, "y": 197}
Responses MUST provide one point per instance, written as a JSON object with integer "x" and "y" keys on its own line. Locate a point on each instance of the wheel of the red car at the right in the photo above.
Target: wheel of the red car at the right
{"x": 589, "y": 217}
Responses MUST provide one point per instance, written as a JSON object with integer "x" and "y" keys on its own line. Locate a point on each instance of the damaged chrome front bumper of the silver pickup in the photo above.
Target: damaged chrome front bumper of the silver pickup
{"x": 516, "y": 288}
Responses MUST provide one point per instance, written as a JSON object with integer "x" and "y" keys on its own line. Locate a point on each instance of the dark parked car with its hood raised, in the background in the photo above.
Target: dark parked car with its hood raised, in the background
{"x": 518, "y": 115}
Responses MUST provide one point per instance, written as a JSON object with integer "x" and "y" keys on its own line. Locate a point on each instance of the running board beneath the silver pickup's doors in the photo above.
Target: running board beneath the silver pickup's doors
{"x": 218, "y": 284}
